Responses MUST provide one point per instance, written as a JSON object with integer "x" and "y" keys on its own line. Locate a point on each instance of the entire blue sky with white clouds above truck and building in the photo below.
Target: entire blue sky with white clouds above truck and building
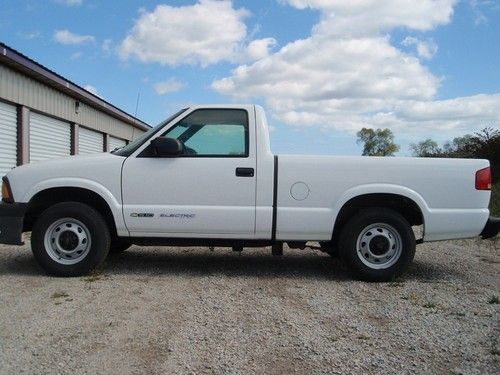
{"x": 322, "y": 69}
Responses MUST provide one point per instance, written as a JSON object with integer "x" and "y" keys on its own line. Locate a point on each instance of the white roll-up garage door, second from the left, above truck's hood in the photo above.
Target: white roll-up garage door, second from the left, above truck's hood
{"x": 49, "y": 138}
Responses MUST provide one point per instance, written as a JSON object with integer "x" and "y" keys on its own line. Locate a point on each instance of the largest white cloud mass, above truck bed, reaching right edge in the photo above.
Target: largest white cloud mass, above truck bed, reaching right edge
{"x": 348, "y": 75}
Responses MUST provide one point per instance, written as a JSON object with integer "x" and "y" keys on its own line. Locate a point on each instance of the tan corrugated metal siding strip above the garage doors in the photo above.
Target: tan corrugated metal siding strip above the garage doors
{"x": 21, "y": 89}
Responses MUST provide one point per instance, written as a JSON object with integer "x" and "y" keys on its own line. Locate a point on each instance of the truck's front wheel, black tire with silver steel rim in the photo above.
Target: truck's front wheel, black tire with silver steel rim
{"x": 70, "y": 239}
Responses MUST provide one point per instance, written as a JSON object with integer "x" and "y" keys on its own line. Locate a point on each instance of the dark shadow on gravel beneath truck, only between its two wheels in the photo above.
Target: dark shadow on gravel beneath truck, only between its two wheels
{"x": 247, "y": 264}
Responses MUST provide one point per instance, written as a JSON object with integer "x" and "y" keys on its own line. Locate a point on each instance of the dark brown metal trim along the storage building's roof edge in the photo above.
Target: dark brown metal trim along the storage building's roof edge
{"x": 30, "y": 67}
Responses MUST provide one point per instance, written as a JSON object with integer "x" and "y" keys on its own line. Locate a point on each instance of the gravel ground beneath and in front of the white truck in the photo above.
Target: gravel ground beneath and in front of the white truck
{"x": 190, "y": 310}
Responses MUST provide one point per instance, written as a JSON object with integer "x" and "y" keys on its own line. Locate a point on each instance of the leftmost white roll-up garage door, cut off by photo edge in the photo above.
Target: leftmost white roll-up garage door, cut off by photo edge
{"x": 8, "y": 138}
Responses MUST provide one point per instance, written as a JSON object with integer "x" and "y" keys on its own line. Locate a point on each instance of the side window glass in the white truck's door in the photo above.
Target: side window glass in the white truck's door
{"x": 213, "y": 132}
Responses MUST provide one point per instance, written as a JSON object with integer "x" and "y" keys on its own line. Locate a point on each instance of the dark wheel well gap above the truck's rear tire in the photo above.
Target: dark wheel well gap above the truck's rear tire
{"x": 403, "y": 205}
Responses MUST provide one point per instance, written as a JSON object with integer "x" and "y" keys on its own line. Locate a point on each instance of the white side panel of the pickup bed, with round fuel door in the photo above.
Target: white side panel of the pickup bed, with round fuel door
{"x": 313, "y": 189}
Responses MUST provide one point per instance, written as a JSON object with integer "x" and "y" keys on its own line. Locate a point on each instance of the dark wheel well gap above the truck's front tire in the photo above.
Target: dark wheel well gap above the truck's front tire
{"x": 46, "y": 198}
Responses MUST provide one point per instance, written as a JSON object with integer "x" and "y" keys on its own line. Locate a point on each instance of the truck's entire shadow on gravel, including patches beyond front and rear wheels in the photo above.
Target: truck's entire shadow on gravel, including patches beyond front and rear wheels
{"x": 251, "y": 263}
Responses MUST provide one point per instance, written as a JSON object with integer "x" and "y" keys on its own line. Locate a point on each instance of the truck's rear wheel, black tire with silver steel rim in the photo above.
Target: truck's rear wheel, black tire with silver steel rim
{"x": 385, "y": 241}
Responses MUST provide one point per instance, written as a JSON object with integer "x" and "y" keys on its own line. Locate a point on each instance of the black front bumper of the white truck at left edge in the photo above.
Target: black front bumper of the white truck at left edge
{"x": 11, "y": 222}
